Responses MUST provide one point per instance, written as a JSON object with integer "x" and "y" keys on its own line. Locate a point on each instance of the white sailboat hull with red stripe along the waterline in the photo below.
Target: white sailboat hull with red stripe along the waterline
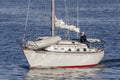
{"x": 44, "y": 59}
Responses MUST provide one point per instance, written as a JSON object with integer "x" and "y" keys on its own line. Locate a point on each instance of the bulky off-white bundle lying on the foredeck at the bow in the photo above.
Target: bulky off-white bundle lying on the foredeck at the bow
{"x": 42, "y": 42}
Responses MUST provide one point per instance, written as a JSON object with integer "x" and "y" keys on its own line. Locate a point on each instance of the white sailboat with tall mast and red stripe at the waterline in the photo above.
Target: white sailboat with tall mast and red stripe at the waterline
{"x": 54, "y": 52}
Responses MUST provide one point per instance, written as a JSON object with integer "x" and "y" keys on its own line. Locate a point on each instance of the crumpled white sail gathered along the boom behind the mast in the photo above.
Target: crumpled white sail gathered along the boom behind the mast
{"x": 62, "y": 24}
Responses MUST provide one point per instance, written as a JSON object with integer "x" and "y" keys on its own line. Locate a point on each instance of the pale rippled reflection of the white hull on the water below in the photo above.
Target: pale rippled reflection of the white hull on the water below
{"x": 64, "y": 74}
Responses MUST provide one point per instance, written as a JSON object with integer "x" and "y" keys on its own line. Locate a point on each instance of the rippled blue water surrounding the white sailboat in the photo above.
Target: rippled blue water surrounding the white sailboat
{"x": 97, "y": 18}
